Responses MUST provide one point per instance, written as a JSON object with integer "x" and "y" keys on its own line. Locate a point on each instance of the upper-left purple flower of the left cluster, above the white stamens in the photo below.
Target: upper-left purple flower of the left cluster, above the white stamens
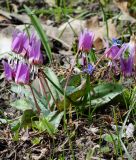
{"x": 19, "y": 42}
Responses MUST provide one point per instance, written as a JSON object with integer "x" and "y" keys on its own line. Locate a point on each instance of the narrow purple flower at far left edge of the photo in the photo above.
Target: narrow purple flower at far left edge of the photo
{"x": 8, "y": 71}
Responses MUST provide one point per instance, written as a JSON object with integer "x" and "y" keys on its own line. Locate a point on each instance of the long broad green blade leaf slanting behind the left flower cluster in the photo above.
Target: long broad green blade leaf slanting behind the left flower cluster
{"x": 37, "y": 24}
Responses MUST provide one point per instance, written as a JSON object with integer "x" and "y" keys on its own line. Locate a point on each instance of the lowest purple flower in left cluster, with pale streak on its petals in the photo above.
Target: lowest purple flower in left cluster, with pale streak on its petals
{"x": 22, "y": 74}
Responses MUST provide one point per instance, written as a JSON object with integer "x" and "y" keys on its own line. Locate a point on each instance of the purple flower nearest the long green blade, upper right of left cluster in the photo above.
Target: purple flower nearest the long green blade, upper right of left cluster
{"x": 35, "y": 56}
